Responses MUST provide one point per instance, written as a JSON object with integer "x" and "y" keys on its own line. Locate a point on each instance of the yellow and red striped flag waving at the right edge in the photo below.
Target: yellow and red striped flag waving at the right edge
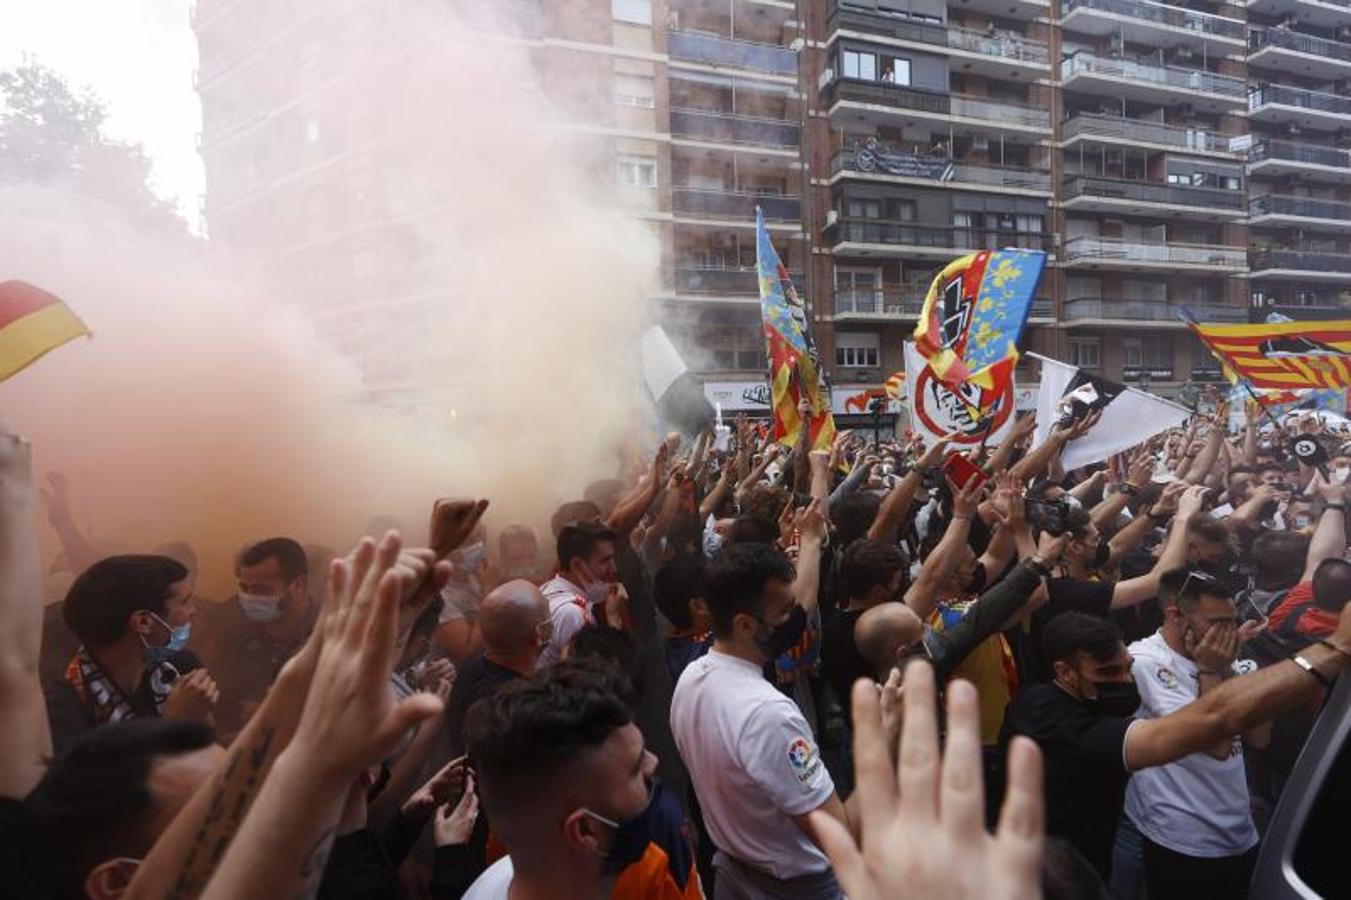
{"x": 1283, "y": 355}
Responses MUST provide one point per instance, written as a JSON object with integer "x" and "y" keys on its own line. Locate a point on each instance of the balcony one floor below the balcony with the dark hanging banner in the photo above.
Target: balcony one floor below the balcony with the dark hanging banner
{"x": 875, "y": 237}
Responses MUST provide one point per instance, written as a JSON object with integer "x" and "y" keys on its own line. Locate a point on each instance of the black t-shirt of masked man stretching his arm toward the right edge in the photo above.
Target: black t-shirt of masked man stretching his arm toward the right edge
{"x": 1086, "y": 767}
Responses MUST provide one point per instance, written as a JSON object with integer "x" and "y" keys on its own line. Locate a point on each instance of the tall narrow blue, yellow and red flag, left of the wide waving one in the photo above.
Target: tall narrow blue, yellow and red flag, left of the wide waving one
{"x": 795, "y": 370}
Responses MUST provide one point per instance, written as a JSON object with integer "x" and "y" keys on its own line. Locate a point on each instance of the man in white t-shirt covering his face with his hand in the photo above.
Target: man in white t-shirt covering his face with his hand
{"x": 1195, "y": 814}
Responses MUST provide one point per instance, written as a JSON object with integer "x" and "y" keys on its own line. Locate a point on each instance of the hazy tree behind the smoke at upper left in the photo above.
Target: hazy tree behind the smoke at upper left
{"x": 53, "y": 137}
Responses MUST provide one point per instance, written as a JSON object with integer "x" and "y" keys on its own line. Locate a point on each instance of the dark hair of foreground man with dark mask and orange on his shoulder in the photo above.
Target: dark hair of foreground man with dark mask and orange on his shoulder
{"x": 519, "y": 739}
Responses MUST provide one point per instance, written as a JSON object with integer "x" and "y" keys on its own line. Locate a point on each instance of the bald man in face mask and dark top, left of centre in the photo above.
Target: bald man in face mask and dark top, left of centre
{"x": 515, "y": 628}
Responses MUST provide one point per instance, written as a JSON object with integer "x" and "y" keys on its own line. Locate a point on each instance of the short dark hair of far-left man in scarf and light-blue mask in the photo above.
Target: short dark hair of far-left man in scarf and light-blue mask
{"x": 106, "y": 594}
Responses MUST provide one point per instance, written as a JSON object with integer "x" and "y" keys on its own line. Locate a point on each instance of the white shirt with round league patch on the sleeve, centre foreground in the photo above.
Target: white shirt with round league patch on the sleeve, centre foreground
{"x": 753, "y": 761}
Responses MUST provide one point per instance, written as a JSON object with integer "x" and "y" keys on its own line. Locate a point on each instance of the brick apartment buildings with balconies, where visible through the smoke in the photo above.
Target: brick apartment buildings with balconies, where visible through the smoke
{"x": 1165, "y": 156}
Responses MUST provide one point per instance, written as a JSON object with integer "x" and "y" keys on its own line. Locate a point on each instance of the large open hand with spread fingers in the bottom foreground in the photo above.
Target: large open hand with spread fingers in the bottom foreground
{"x": 923, "y": 830}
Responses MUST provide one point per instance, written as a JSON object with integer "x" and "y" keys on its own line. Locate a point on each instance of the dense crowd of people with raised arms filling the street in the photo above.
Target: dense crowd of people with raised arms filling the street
{"x": 734, "y": 671}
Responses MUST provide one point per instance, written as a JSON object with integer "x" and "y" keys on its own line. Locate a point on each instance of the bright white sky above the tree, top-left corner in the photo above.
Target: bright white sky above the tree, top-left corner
{"x": 138, "y": 56}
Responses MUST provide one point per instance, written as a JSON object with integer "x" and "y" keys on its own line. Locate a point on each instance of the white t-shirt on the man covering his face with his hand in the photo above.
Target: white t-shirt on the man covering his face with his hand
{"x": 1196, "y": 806}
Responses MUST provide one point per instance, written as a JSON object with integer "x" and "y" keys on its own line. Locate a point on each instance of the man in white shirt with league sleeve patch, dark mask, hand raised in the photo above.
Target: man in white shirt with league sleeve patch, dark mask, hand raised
{"x": 750, "y": 753}
